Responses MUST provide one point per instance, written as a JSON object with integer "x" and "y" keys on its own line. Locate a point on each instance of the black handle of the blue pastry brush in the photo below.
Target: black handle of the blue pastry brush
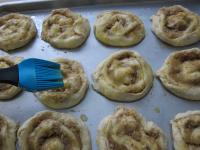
{"x": 10, "y": 75}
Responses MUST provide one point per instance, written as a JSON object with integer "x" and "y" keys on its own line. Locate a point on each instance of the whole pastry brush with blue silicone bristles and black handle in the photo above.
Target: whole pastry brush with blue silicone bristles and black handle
{"x": 33, "y": 75}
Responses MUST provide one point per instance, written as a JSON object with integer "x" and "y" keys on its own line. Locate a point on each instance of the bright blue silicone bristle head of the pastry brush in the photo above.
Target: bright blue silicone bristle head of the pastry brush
{"x": 37, "y": 75}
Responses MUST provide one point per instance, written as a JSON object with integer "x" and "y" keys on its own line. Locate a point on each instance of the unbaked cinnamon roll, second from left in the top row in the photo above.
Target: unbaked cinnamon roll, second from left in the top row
{"x": 65, "y": 29}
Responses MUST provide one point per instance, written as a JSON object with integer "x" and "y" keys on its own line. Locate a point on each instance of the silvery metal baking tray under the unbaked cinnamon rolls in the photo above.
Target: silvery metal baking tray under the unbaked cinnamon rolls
{"x": 158, "y": 105}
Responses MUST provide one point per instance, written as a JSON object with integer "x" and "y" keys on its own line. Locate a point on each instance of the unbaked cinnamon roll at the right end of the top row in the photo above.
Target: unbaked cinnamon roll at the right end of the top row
{"x": 176, "y": 25}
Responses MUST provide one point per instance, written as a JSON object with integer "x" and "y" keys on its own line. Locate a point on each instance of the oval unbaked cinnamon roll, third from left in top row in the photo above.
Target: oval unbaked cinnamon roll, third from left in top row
{"x": 119, "y": 28}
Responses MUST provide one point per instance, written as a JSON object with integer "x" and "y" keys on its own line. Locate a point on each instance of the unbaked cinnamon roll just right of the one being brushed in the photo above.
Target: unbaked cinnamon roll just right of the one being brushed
{"x": 123, "y": 76}
